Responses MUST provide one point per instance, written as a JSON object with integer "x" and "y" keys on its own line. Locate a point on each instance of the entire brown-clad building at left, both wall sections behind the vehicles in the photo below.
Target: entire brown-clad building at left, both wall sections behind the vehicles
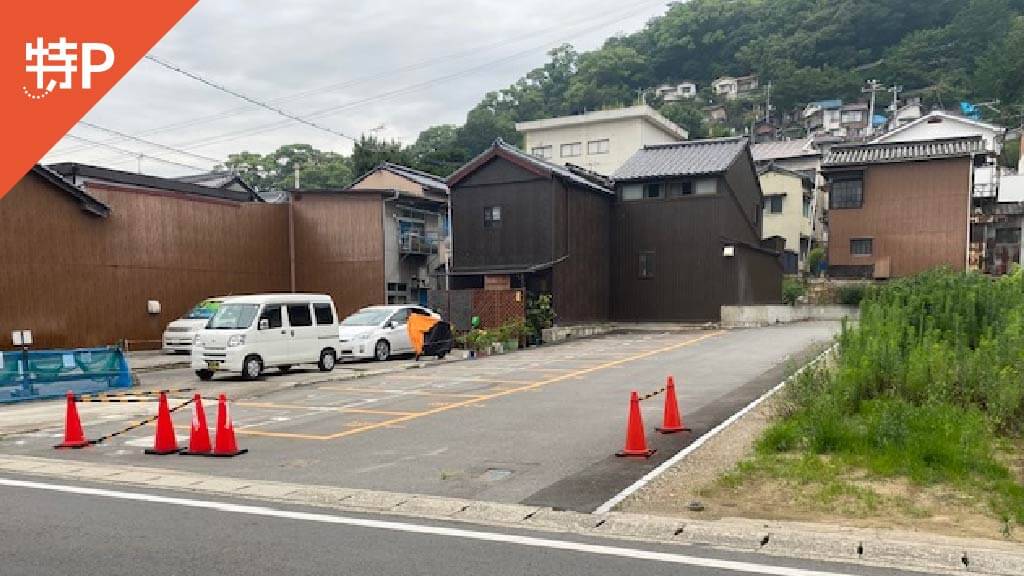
{"x": 87, "y": 249}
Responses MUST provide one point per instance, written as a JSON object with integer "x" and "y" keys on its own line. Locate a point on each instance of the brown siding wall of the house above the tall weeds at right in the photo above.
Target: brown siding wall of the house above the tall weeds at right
{"x": 917, "y": 214}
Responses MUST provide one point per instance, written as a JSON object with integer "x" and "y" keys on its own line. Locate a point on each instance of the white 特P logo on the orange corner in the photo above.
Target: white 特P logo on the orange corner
{"x": 56, "y": 65}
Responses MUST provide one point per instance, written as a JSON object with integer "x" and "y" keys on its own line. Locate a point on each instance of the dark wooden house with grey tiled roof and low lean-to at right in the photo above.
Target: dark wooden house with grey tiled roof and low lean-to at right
{"x": 687, "y": 234}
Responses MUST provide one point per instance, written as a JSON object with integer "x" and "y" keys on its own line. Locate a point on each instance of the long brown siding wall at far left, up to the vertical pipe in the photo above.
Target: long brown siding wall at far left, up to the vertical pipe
{"x": 79, "y": 280}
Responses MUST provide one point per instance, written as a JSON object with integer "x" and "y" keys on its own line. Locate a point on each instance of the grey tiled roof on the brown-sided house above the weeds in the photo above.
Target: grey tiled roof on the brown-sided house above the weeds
{"x": 904, "y": 152}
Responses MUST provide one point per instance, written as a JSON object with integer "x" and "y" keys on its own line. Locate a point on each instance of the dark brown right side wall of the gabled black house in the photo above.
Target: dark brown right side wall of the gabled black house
{"x": 582, "y": 282}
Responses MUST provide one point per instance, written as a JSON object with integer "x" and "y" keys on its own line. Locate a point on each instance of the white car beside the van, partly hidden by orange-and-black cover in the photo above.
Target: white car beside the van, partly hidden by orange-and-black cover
{"x": 378, "y": 333}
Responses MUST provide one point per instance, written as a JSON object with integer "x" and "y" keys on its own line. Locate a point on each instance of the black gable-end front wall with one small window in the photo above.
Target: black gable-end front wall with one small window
{"x": 525, "y": 237}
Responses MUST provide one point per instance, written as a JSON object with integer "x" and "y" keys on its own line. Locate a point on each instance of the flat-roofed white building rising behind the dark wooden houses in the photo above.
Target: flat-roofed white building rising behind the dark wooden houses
{"x": 601, "y": 142}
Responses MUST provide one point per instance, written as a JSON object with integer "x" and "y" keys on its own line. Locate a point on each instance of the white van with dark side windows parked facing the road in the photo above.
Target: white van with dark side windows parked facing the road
{"x": 249, "y": 335}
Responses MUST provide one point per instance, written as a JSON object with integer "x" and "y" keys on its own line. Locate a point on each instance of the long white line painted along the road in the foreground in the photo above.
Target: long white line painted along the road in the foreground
{"x": 516, "y": 540}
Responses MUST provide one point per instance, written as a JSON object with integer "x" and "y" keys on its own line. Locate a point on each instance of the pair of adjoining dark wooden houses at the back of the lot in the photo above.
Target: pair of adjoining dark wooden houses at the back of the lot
{"x": 675, "y": 237}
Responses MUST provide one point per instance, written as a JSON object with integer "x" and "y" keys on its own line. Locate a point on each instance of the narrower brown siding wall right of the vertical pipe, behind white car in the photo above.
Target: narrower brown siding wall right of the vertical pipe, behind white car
{"x": 339, "y": 249}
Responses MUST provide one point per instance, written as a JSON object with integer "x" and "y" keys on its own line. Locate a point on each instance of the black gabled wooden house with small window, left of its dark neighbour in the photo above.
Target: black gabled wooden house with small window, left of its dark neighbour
{"x": 520, "y": 222}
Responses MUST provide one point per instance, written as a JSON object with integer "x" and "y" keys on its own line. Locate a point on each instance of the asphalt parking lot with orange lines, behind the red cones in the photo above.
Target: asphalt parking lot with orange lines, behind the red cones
{"x": 538, "y": 426}
